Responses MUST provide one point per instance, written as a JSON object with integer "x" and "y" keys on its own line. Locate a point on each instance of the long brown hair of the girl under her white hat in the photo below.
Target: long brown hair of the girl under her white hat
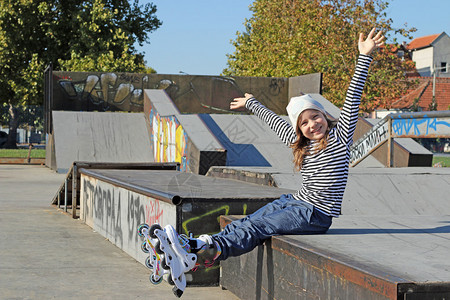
{"x": 300, "y": 147}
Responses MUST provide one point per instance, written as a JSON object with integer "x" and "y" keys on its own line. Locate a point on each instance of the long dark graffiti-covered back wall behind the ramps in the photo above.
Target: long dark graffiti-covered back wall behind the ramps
{"x": 95, "y": 91}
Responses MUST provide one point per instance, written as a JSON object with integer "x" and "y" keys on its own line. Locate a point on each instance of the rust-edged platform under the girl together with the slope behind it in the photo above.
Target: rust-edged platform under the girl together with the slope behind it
{"x": 391, "y": 242}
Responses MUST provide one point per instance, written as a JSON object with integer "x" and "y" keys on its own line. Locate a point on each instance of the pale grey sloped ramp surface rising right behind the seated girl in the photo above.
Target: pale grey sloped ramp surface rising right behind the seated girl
{"x": 370, "y": 191}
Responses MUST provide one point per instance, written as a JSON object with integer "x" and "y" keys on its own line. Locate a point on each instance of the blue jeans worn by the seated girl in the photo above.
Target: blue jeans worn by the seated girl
{"x": 283, "y": 216}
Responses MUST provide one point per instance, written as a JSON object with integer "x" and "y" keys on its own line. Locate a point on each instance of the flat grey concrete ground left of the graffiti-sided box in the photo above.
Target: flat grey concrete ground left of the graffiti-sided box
{"x": 46, "y": 254}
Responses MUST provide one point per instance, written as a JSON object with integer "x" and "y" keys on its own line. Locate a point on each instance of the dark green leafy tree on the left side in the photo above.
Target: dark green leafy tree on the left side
{"x": 72, "y": 35}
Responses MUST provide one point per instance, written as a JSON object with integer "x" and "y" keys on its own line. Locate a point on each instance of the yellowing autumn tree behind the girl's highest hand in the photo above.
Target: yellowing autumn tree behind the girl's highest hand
{"x": 288, "y": 38}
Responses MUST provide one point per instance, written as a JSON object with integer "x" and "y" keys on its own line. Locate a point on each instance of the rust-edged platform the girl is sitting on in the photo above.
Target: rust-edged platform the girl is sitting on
{"x": 321, "y": 267}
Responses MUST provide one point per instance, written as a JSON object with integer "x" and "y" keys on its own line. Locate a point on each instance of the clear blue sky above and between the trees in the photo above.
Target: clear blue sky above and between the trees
{"x": 195, "y": 35}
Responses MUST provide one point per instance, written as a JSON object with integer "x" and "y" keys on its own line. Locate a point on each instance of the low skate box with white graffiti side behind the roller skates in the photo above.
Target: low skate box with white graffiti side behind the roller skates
{"x": 115, "y": 202}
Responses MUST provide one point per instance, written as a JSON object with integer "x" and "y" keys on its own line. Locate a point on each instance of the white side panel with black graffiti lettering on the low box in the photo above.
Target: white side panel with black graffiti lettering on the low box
{"x": 116, "y": 213}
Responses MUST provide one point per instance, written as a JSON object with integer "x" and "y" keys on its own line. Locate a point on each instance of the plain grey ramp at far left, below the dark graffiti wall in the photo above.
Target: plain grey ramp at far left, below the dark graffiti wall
{"x": 99, "y": 137}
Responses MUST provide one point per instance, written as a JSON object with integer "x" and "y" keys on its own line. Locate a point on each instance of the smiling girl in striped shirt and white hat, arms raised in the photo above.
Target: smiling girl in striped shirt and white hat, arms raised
{"x": 321, "y": 153}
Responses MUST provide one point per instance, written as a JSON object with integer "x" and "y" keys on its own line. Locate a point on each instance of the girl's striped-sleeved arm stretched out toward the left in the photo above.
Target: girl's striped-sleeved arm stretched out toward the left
{"x": 282, "y": 128}
